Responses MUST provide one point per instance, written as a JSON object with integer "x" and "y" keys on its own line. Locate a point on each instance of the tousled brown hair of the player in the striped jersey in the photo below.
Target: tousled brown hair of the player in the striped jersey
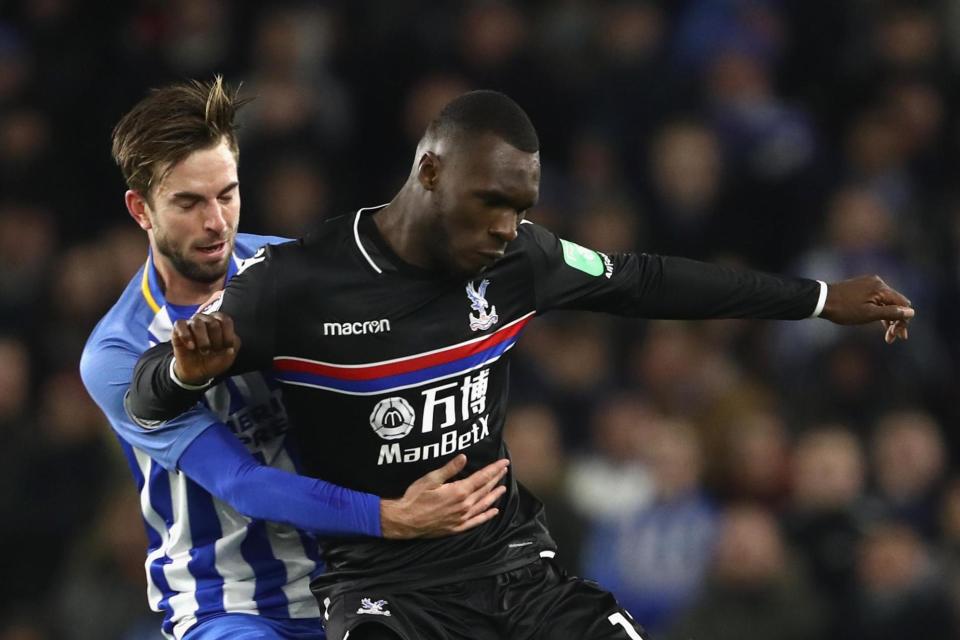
{"x": 170, "y": 124}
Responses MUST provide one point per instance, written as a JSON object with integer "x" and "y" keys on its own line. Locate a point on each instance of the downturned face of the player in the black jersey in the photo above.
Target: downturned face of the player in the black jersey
{"x": 484, "y": 190}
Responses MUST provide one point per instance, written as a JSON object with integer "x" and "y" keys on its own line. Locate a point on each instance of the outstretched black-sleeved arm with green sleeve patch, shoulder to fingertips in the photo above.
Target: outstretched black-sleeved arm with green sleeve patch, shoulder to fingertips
{"x": 665, "y": 287}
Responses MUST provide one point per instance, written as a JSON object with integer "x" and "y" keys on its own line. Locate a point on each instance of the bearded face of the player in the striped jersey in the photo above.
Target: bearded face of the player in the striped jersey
{"x": 195, "y": 212}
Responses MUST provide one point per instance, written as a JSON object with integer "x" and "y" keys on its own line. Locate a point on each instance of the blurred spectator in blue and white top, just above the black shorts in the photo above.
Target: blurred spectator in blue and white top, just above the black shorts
{"x": 655, "y": 557}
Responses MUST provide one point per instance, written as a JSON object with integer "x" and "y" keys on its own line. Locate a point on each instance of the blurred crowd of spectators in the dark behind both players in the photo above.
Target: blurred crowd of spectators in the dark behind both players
{"x": 727, "y": 479}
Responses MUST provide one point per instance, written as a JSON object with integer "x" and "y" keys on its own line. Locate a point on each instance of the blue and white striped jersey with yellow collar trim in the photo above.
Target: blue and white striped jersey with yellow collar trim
{"x": 204, "y": 558}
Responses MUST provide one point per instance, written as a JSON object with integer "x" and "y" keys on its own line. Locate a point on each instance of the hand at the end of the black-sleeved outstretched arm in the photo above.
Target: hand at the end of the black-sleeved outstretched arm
{"x": 868, "y": 299}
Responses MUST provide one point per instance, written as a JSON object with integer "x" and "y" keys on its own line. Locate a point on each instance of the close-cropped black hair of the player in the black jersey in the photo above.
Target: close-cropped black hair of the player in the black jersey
{"x": 487, "y": 112}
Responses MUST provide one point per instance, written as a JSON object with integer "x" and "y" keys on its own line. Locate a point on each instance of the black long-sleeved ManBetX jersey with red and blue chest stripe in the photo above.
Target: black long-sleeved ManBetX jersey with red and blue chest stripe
{"x": 389, "y": 370}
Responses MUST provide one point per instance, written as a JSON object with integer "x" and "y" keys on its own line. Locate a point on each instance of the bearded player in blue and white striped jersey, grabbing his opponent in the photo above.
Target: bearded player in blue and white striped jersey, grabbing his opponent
{"x": 230, "y": 525}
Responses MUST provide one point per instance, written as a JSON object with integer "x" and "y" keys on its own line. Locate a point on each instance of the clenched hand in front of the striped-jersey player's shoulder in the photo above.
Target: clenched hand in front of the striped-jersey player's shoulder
{"x": 204, "y": 347}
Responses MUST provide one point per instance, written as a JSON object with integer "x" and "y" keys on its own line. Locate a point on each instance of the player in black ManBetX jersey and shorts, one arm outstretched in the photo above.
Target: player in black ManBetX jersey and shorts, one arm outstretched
{"x": 391, "y": 330}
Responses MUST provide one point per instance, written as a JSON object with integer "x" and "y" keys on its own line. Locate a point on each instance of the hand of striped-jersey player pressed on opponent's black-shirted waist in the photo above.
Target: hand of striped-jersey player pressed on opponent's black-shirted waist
{"x": 433, "y": 507}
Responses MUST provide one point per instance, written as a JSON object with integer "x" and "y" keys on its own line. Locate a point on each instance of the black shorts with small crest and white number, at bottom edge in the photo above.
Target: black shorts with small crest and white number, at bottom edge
{"x": 536, "y": 602}
